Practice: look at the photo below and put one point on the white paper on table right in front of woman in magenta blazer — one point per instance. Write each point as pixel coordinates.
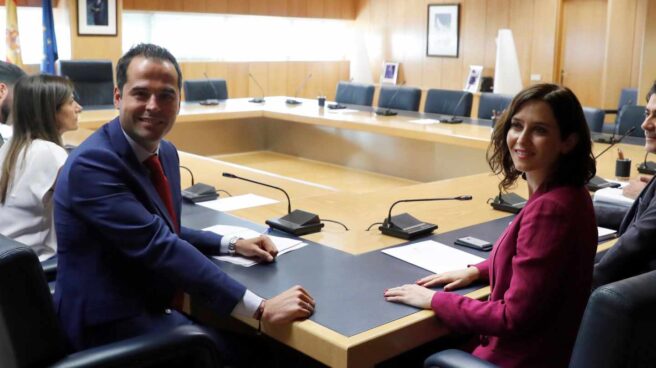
(433, 256)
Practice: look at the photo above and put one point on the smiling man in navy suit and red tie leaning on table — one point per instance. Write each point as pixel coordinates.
(123, 255)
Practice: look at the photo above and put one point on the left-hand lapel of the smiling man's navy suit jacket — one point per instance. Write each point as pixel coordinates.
(139, 172)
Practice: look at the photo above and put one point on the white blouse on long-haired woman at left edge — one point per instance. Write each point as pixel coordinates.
(26, 216)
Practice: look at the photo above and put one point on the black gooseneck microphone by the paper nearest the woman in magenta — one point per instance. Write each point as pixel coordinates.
(405, 226)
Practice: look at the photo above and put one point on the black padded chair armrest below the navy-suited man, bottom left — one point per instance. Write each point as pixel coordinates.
(189, 345)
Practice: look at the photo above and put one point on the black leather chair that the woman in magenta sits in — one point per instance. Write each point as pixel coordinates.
(617, 330)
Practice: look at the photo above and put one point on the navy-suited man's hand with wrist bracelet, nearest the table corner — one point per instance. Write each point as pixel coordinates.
(288, 306)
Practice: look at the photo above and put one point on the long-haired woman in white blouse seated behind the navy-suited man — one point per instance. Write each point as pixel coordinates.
(43, 109)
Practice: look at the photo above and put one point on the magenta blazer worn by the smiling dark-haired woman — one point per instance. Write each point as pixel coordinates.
(540, 274)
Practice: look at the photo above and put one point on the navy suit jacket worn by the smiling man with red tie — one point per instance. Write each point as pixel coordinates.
(119, 256)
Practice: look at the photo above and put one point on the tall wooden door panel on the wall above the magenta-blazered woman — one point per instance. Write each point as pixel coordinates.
(582, 48)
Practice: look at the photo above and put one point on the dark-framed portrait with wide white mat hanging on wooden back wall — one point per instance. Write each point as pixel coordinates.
(443, 30)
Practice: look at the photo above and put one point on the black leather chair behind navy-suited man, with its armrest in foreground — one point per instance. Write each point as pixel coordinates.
(31, 336)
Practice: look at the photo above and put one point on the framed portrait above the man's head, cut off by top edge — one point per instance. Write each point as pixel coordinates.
(96, 17)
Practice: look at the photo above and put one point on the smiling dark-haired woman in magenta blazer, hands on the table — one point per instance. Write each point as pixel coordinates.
(540, 269)
